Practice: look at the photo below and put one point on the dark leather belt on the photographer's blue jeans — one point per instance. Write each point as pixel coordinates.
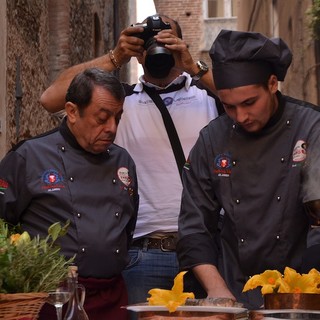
(166, 243)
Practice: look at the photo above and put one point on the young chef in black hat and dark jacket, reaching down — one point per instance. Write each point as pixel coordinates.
(259, 162)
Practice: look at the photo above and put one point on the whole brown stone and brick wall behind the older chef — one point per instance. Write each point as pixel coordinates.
(43, 37)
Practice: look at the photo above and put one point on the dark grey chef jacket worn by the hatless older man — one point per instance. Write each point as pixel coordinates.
(51, 178)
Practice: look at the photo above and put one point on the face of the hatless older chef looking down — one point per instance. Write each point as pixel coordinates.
(96, 128)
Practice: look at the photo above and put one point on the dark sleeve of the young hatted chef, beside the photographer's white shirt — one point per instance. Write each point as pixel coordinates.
(199, 215)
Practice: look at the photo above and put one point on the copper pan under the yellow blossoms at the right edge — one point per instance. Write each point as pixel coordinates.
(304, 301)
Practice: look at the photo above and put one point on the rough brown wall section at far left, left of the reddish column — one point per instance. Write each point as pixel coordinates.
(26, 42)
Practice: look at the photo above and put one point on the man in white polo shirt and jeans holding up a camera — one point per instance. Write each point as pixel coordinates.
(142, 132)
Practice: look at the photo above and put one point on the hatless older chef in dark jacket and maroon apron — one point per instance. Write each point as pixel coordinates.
(76, 173)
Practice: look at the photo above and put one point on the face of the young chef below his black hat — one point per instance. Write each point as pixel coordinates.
(251, 106)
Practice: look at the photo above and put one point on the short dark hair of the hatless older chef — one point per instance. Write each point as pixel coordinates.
(81, 87)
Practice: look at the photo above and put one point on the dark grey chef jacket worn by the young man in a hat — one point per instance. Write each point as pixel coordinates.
(261, 181)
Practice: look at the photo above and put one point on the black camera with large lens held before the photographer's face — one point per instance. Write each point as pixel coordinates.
(159, 59)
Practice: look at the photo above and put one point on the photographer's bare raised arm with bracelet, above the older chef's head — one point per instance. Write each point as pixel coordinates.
(128, 46)
